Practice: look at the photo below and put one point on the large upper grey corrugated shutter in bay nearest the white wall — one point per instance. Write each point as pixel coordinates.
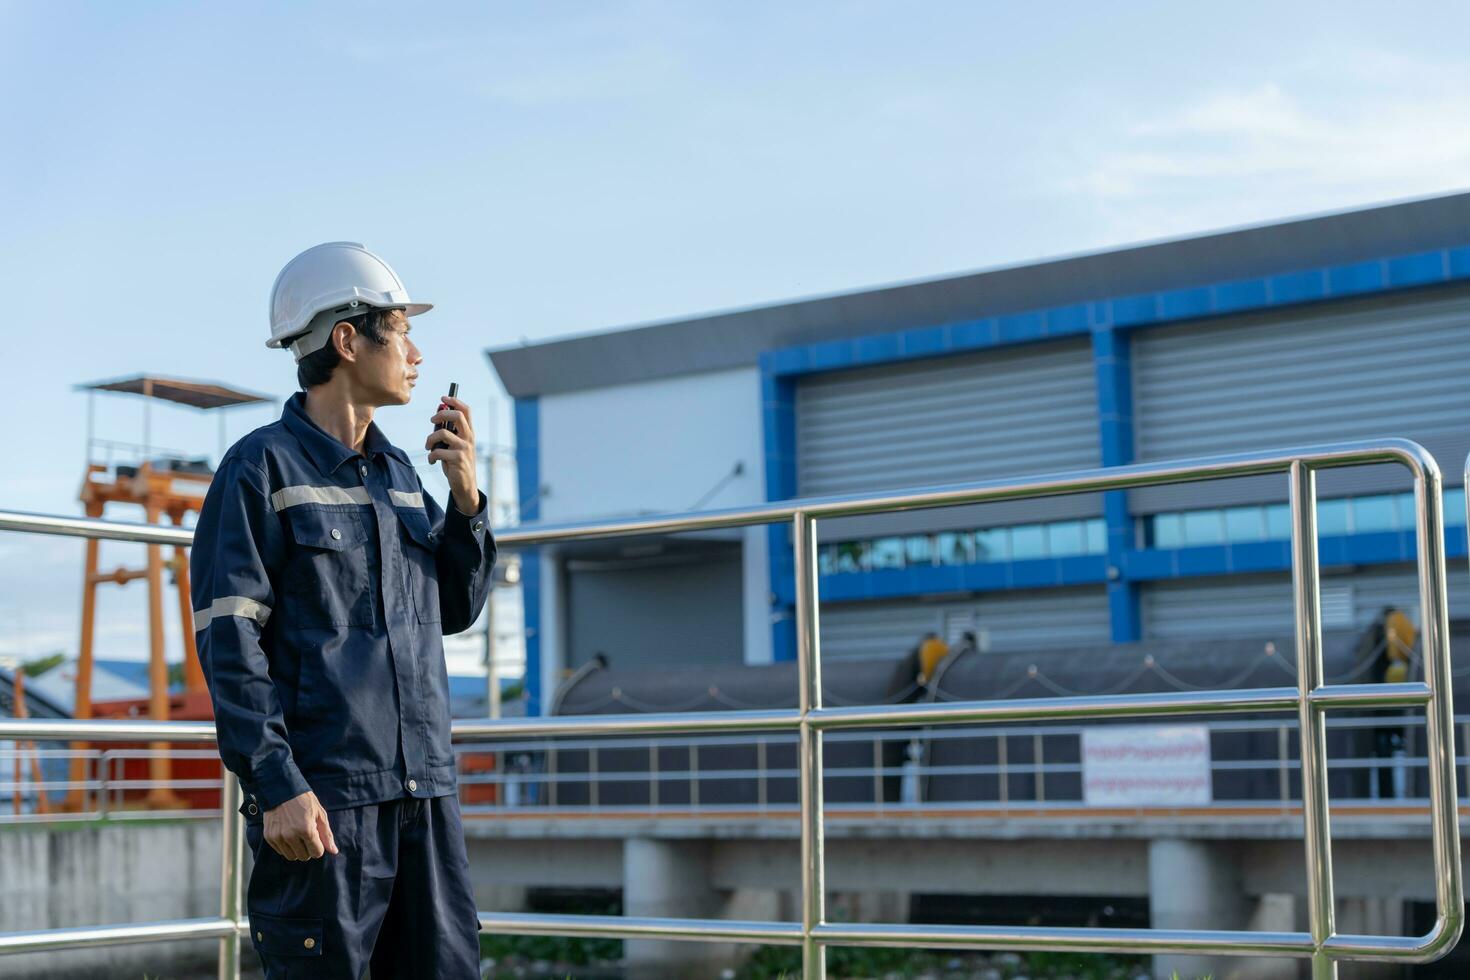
(1014, 412)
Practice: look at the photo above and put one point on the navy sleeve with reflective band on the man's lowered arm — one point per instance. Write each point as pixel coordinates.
(237, 543)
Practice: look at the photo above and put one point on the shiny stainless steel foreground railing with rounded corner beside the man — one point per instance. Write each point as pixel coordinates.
(1311, 699)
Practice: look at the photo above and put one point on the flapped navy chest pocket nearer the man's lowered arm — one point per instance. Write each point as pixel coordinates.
(327, 581)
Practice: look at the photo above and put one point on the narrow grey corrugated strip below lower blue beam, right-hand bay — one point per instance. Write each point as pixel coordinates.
(1261, 605)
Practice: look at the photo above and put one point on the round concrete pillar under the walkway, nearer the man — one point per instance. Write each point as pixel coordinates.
(671, 879)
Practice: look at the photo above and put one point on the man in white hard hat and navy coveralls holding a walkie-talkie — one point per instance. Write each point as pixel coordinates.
(324, 578)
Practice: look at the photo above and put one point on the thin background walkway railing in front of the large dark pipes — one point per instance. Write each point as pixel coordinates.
(1253, 768)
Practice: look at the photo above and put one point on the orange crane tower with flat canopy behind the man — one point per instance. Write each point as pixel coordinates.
(161, 483)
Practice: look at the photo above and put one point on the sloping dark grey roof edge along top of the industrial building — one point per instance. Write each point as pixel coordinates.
(736, 339)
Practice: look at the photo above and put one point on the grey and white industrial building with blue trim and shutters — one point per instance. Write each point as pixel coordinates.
(1341, 327)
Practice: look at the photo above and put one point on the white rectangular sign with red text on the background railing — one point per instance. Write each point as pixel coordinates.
(1146, 766)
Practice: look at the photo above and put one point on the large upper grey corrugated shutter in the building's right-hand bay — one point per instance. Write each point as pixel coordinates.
(1384, 368)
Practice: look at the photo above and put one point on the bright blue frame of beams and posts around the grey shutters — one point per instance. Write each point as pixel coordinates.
(1109, 321)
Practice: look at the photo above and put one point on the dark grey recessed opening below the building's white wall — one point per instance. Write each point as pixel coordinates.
(675, 612)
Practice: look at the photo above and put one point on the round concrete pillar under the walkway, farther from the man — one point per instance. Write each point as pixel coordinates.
(1196, 885)
